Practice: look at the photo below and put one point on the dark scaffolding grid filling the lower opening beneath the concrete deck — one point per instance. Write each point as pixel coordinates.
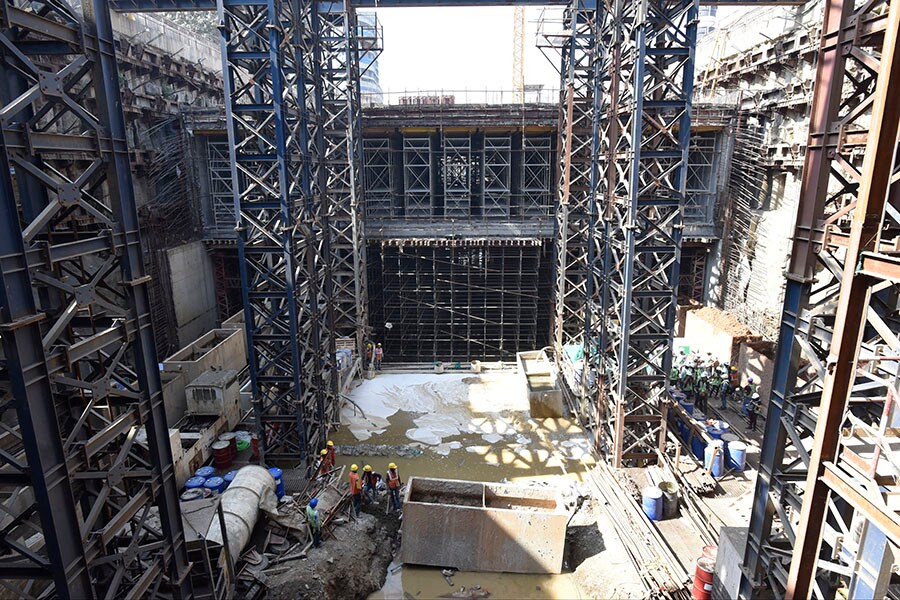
(459, 301)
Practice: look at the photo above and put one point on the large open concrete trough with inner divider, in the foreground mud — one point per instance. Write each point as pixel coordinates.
(475, 526)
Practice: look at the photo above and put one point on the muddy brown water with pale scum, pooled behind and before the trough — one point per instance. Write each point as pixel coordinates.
(479, 429)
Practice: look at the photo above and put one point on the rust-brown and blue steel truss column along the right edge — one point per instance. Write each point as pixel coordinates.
(836, 368)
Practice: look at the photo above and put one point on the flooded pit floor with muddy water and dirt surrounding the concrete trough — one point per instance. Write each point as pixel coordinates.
(466, 427)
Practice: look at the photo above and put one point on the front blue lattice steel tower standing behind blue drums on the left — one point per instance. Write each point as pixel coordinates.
(263, 106)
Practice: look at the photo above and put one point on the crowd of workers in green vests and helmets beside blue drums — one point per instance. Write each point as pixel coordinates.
(702, 378)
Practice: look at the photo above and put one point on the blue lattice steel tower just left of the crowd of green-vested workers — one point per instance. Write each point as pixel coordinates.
(644, 236)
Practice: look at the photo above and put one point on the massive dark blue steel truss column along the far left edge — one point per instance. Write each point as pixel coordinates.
(90, 506)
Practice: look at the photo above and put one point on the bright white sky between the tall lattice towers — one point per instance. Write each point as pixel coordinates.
(454, 49)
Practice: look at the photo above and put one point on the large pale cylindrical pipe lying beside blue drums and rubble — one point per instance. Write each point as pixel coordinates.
(240, 505)
